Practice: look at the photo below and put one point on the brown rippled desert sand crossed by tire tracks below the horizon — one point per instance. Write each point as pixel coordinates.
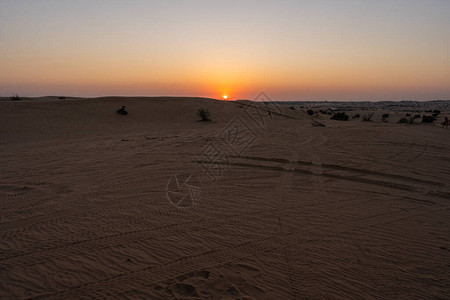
(156, 205)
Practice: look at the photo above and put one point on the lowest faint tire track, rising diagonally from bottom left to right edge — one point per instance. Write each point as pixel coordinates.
(110, 287)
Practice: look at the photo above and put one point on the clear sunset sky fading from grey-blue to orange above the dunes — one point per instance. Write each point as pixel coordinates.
(291, 49)
